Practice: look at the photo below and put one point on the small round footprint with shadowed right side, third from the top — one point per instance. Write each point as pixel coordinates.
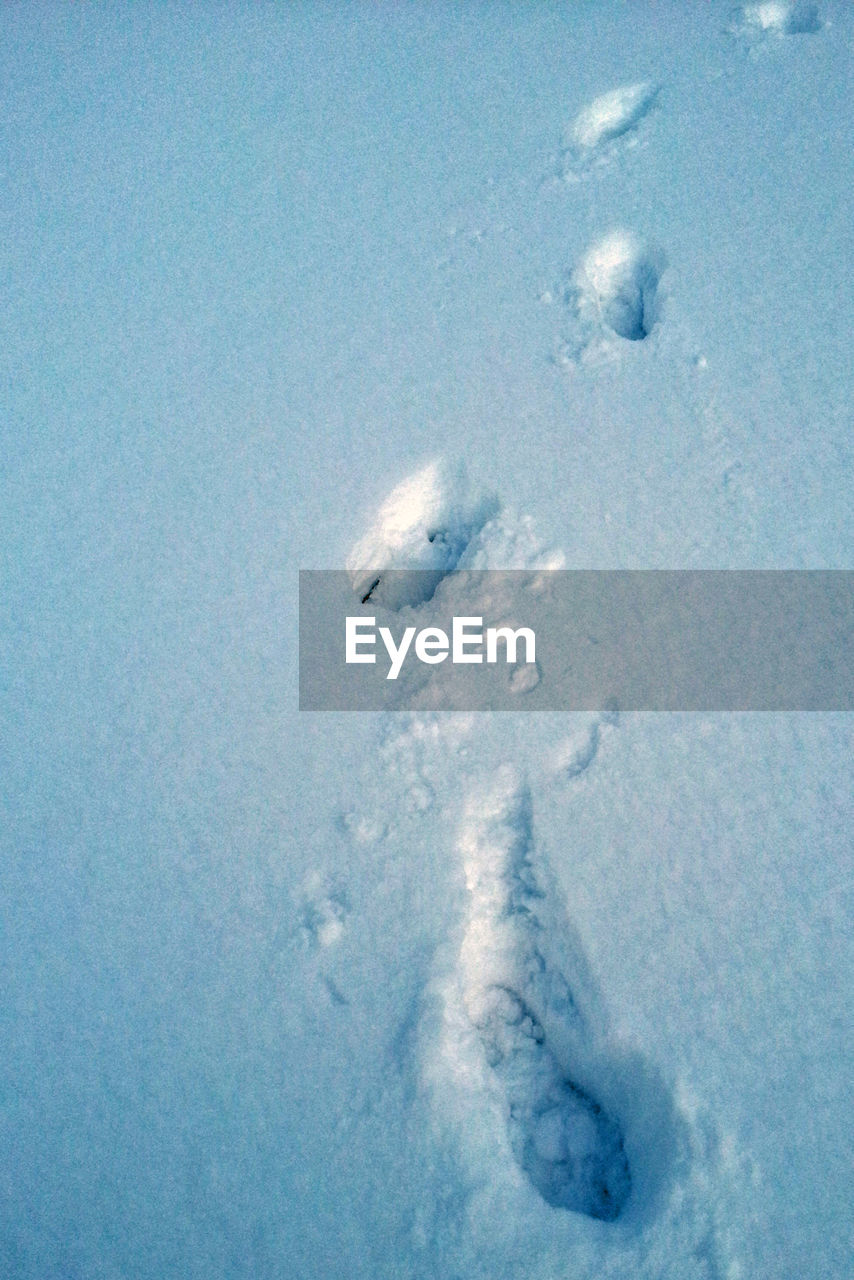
(616, 287)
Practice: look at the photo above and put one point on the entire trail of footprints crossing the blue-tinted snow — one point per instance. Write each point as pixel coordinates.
(515, 991)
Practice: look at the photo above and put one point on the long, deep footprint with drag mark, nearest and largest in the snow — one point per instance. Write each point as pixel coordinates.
(527, 1017)
